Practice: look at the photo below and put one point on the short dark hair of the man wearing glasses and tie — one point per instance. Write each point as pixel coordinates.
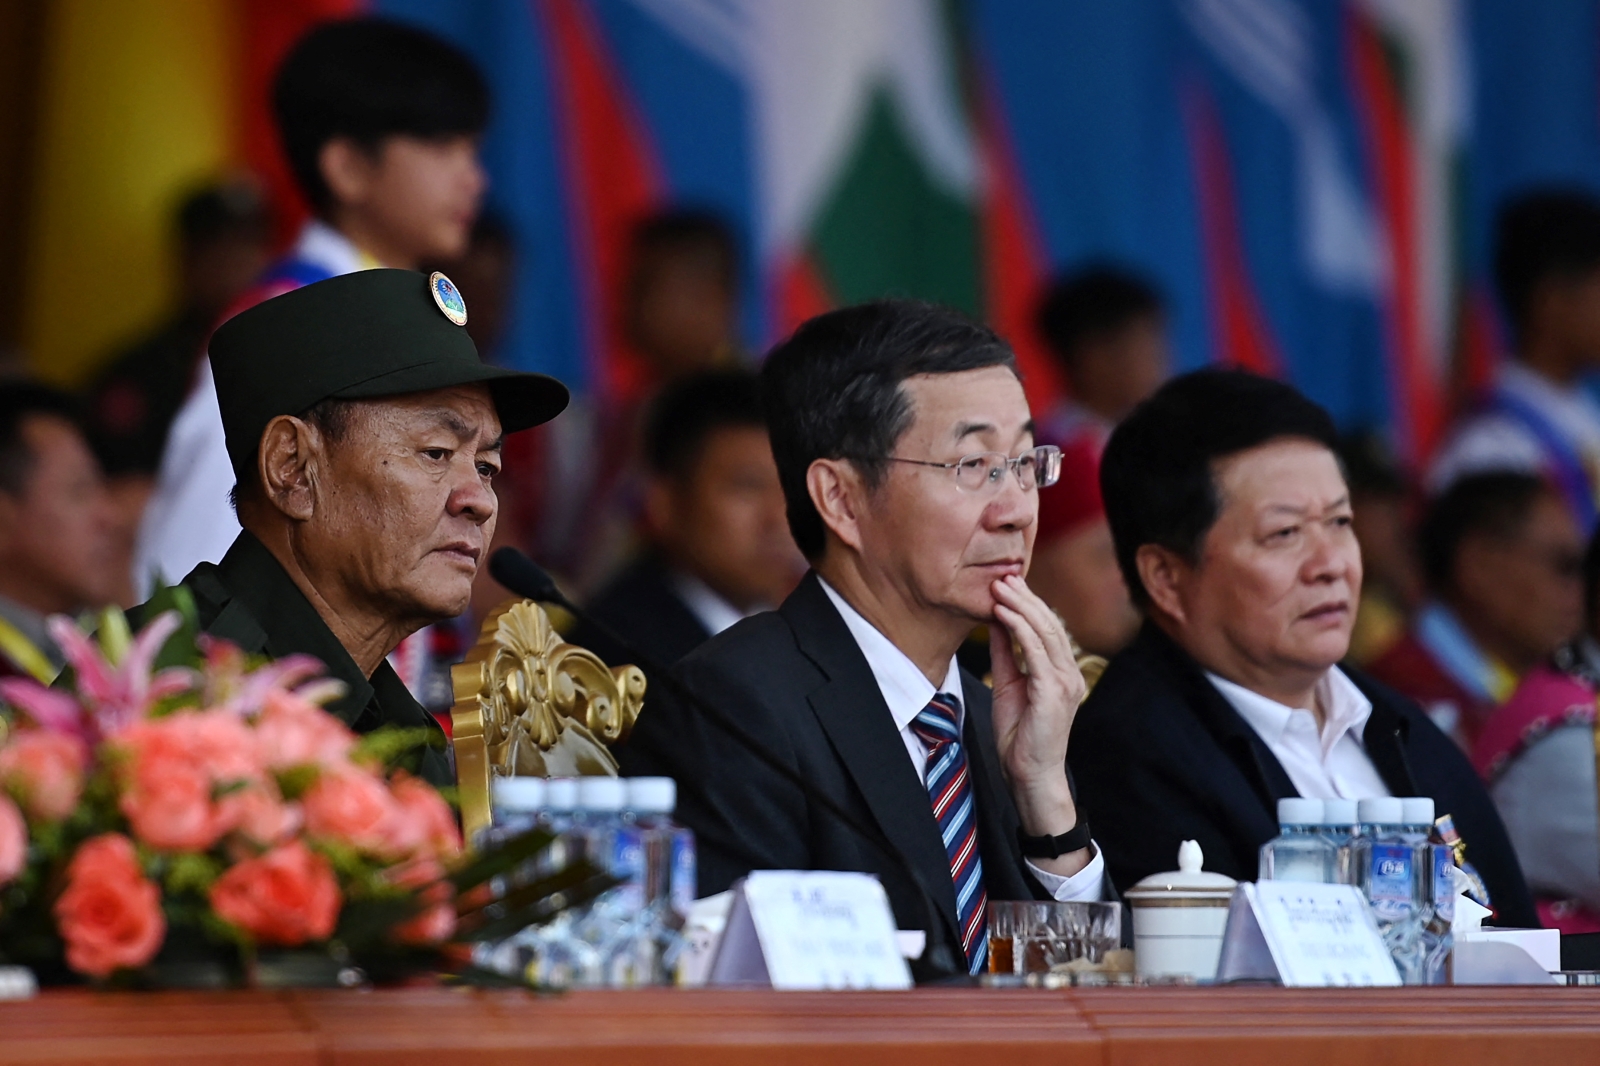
(833, 391)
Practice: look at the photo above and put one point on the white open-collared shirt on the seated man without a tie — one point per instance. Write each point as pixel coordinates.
(1329, 764)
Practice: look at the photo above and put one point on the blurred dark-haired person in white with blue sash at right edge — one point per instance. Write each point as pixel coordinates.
(1538, 417)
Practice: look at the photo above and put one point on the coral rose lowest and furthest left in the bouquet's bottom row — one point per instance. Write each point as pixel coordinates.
(111, 913)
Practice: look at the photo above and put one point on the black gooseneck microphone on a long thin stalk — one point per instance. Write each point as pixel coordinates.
(527, 579)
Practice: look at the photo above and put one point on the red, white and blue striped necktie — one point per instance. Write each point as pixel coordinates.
(951, 793)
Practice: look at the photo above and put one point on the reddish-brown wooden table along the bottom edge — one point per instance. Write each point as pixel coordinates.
(929, 1028)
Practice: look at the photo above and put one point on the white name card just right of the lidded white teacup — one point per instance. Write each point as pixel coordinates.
(1305, 936)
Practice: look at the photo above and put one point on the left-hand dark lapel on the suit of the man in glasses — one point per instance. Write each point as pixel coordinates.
(860, 727)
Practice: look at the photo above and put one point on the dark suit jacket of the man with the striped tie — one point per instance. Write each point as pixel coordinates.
(798, 679)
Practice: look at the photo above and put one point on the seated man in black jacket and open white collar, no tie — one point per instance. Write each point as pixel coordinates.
(1233, 529)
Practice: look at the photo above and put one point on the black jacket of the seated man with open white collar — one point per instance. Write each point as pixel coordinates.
(1161, 758)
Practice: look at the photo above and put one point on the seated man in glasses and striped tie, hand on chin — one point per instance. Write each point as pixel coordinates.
(906, 454)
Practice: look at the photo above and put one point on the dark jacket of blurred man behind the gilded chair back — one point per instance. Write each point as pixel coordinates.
(642, 607)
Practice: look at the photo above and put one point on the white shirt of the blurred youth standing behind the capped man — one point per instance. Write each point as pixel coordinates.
(190, 521)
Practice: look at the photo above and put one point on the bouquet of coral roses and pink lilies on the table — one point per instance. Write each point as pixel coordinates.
(175, 793)
